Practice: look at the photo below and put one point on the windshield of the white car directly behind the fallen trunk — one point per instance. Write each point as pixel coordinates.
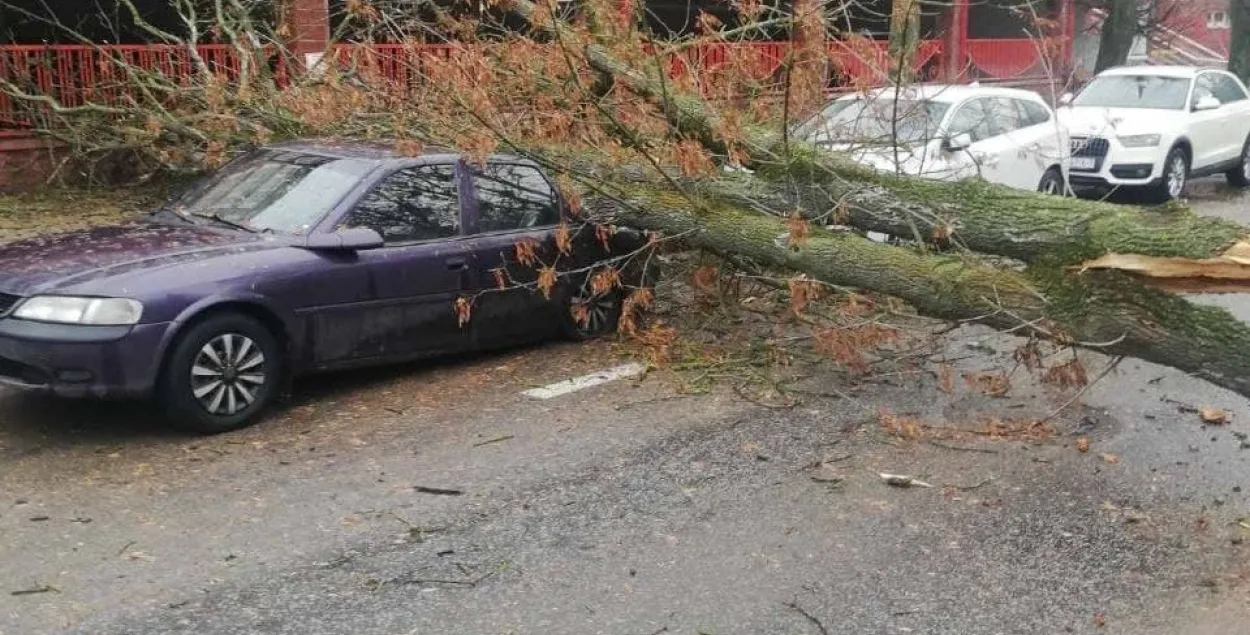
(877, 122)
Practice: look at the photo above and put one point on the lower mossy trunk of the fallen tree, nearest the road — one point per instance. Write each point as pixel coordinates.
(1103, 311)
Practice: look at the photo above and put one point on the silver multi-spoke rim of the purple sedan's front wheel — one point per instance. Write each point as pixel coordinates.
(227, 374)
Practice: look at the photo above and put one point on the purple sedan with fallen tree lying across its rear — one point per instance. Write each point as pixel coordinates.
(294, 259)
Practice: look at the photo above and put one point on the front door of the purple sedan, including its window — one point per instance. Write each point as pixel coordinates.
(416, 278)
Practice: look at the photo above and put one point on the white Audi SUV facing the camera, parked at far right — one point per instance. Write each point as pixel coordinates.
(1157, 128)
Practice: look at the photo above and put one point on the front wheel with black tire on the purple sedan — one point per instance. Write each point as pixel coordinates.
(222, 374)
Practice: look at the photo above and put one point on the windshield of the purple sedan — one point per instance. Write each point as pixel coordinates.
(274, 191)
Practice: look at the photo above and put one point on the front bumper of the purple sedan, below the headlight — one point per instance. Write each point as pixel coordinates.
(81, 362)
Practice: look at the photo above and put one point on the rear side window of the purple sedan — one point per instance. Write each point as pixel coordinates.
(513, 197)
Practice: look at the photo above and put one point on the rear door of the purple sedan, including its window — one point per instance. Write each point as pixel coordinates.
(513, 236)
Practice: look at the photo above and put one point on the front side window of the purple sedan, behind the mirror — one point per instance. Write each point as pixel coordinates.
(419, 203)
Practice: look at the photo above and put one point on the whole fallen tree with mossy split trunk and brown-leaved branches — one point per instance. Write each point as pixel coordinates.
(1068, 271)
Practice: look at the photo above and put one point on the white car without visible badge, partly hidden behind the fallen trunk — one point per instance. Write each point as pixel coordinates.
(1009, 137)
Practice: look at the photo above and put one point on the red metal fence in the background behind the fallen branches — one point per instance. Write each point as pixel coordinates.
(81, 74)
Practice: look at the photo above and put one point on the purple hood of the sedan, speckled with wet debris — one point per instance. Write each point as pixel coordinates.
(54, 263)
